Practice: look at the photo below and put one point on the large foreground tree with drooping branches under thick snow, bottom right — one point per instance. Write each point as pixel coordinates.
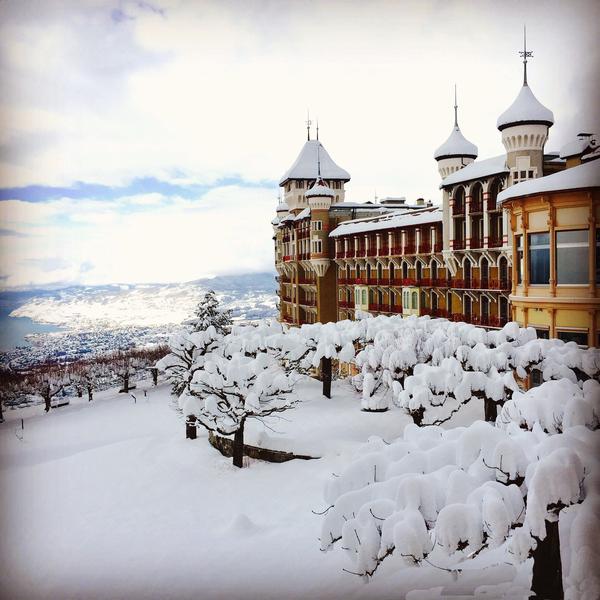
(444, 497)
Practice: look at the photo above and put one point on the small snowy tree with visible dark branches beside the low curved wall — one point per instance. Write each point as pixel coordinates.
(229, 390)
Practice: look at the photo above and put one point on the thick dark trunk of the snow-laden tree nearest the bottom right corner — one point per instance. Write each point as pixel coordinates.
(547, 568)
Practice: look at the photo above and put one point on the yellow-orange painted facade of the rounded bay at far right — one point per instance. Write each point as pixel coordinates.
(557, 306)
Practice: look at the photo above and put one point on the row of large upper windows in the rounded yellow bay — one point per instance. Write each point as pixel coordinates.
(571, 251)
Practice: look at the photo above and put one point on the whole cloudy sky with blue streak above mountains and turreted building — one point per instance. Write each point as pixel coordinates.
(143, 141)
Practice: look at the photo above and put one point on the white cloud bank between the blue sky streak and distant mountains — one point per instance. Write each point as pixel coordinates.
(146, 238)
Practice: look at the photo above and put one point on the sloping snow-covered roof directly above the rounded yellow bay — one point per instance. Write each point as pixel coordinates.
(583, 176)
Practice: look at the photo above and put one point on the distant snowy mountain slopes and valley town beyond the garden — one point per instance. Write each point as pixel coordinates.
(78, 321)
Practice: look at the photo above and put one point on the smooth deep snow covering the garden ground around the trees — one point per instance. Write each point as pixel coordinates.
(108, 500)
